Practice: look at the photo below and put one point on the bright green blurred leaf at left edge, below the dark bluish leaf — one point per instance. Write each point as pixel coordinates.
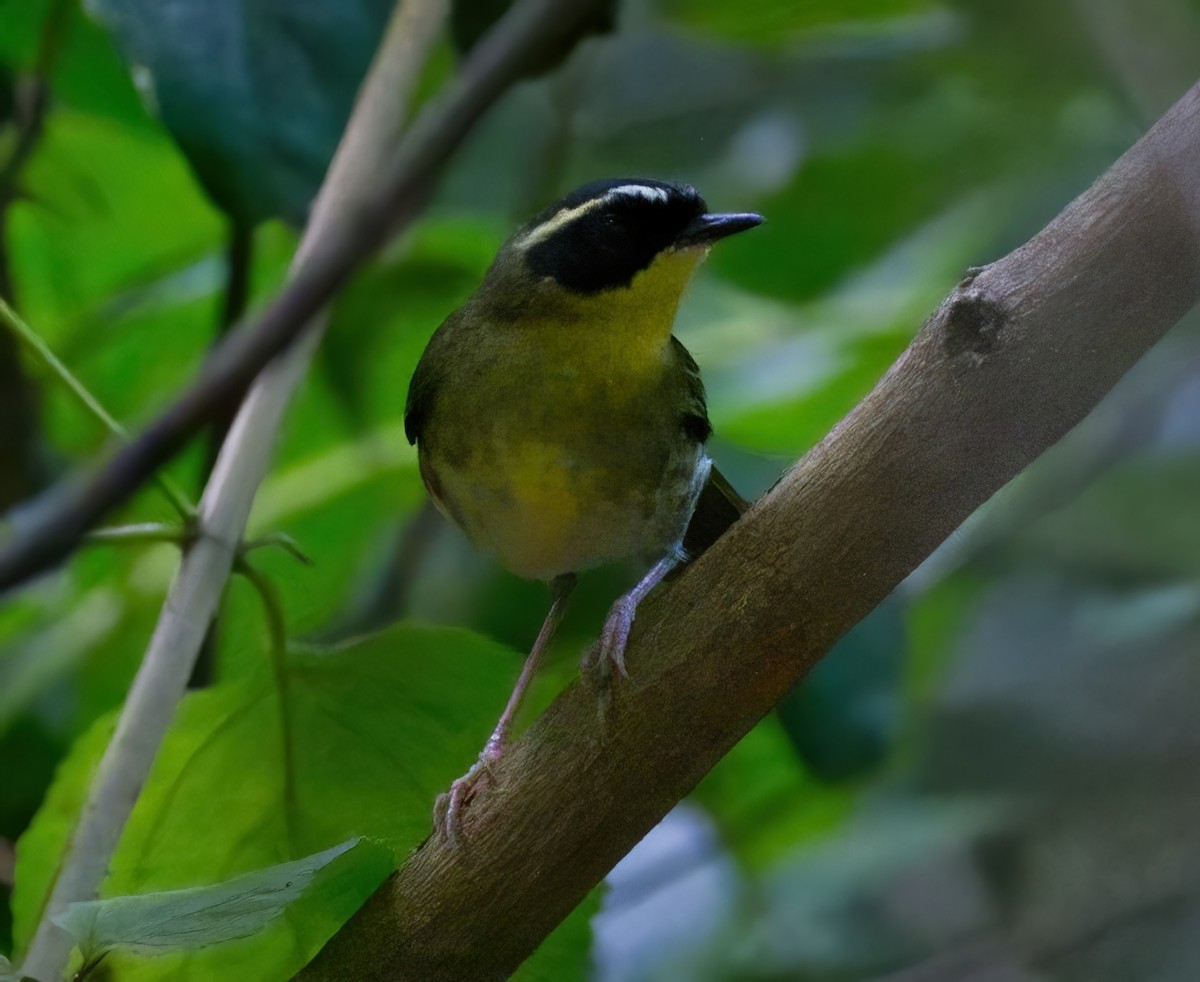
(103, 190)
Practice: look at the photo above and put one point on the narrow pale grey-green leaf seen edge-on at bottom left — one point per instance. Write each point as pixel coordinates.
(175, 920)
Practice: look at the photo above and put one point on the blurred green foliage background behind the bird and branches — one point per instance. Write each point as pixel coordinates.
(1045, 657)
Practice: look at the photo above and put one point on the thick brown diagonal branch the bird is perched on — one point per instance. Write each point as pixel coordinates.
(1012, 361)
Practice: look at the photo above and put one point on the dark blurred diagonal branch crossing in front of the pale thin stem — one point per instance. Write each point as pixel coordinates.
(526, 39)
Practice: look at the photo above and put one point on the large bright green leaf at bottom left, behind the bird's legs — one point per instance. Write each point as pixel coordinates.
(364, 741)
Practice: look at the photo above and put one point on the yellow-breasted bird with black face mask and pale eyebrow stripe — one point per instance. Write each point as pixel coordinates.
(560, 423)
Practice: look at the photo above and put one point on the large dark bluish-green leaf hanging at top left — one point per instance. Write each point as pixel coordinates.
(256, 92)
